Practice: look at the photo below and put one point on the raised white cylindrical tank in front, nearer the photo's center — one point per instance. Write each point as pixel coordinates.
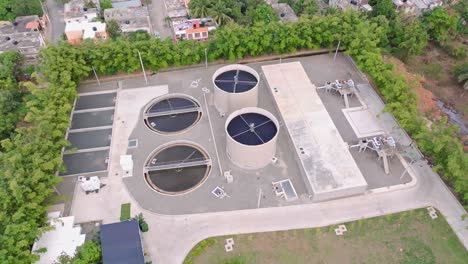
(251, 135)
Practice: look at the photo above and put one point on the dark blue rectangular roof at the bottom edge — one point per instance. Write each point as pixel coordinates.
(121, 243)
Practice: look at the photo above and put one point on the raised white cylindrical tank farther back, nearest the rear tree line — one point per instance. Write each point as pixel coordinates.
(235, 87)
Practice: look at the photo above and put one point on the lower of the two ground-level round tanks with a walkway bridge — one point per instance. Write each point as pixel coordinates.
(177, 168)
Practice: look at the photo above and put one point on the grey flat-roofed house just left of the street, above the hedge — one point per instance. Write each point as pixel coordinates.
(130, 19)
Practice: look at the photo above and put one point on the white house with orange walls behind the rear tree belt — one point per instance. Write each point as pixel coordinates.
(196, 29)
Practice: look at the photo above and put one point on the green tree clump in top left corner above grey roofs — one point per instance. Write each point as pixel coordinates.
(10, 9)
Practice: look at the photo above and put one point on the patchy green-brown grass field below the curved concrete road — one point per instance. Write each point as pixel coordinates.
(410, 238)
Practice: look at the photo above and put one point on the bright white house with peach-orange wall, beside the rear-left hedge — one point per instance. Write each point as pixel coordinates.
(78, 31)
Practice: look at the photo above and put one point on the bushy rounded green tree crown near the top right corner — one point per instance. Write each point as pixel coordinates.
(440, 24)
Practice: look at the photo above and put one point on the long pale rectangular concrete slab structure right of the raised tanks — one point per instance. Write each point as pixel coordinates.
(327, 165)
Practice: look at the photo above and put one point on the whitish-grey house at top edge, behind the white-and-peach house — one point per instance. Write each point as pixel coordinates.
(81, 11)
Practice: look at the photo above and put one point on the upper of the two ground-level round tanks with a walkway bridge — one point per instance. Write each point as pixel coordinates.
(173, 113)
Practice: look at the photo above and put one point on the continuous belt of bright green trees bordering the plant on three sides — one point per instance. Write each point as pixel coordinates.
(31, 155)
